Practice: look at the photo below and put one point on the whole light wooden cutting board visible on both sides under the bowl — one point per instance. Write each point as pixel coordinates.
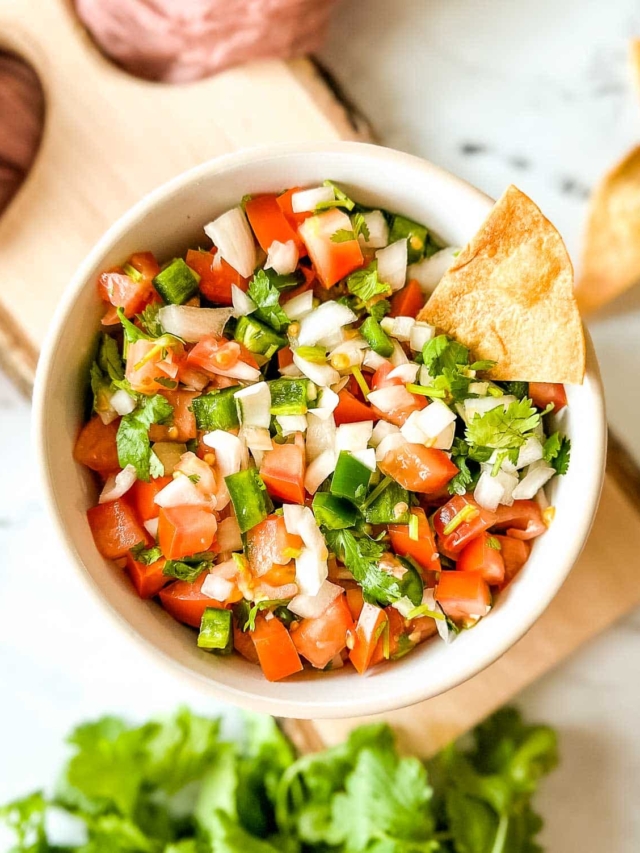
(108, 139)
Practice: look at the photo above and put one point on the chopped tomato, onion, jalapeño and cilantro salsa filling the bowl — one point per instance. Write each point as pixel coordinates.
(291, 461)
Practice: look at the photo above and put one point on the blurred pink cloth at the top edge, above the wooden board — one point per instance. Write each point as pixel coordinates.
(179, 41)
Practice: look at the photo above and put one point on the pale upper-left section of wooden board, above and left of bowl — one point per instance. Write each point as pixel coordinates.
(109, 138)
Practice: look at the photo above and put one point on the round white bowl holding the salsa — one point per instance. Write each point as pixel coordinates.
(166, 222)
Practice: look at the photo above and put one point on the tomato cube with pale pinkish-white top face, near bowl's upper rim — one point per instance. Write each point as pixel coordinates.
(332, 261)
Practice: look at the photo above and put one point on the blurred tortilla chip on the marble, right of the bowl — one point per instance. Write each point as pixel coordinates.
(611, 255)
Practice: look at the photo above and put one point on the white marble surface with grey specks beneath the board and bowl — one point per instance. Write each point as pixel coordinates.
(496, 91)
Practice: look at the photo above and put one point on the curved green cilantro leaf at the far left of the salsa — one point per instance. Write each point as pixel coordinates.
(132, 439)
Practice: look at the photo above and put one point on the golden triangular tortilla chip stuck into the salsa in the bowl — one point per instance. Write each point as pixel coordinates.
(509, 297)
